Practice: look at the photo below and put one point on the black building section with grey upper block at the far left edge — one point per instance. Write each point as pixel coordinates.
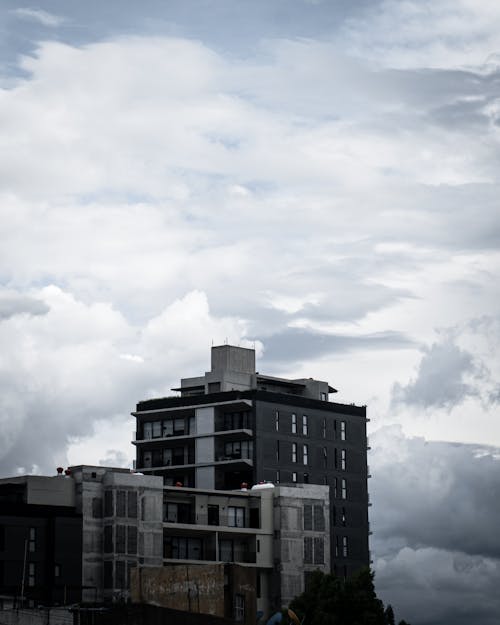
(40, 541)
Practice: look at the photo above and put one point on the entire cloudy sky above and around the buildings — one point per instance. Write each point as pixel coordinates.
(317, 178)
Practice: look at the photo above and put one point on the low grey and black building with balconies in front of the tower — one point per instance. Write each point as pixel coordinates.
(80, 537)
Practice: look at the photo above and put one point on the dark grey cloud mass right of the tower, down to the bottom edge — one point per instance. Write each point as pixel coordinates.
(435, 506)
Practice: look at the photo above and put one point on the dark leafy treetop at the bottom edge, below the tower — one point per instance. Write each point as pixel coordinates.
(328, 600)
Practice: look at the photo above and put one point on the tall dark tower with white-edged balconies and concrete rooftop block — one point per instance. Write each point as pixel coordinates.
(234, 425)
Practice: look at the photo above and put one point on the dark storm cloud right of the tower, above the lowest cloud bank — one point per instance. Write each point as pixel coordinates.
(435, 494)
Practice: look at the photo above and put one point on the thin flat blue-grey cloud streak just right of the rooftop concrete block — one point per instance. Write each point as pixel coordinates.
(293, 344)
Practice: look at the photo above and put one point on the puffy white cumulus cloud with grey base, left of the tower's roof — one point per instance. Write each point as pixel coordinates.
(62, 372)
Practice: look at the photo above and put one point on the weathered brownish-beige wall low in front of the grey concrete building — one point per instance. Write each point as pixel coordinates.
(198, 588)
